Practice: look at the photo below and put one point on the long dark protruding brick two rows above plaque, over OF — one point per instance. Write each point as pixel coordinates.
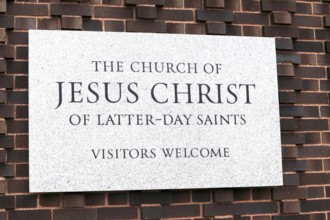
(214, 15)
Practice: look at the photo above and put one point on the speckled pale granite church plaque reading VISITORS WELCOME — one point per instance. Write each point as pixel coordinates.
(137, 111)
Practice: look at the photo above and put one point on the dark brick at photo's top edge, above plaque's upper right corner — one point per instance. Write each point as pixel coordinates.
(273, 5)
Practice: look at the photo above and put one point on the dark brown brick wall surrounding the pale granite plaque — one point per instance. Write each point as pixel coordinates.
(302, 31)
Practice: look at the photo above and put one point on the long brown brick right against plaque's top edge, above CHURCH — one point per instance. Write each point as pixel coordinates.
(146, 26)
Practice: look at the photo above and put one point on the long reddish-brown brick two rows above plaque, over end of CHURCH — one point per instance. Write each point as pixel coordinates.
(175, 15)
